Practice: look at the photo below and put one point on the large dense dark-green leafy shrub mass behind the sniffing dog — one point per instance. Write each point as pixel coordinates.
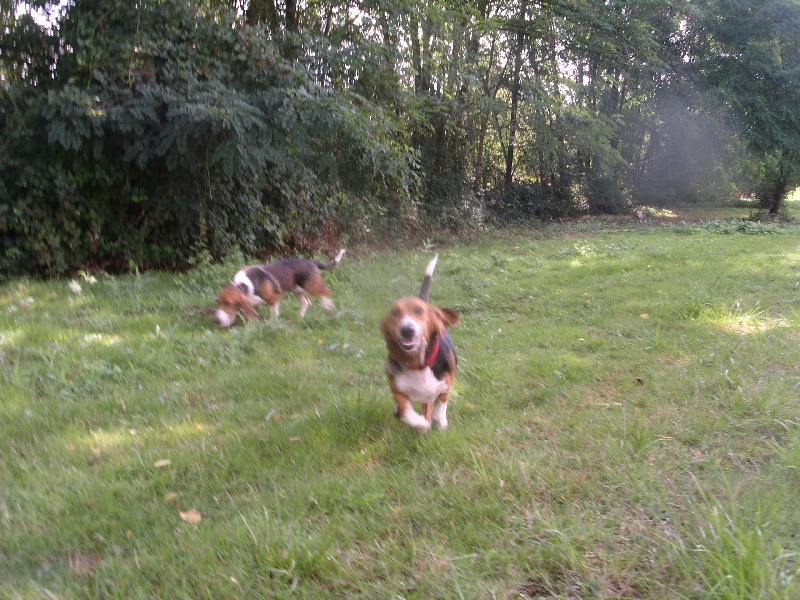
(168, 136)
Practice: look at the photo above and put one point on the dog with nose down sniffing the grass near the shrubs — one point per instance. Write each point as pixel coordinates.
(265, 284)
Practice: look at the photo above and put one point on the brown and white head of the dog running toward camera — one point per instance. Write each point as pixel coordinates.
(410, 324)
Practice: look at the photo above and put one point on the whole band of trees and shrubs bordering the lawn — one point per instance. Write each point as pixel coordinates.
(173, 133)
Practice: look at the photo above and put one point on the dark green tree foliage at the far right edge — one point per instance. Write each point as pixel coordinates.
(750, 56)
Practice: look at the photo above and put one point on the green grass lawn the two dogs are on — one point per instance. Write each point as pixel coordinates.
(624, 424)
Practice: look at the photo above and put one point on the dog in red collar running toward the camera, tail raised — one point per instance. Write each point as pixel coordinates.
(422, 358)
